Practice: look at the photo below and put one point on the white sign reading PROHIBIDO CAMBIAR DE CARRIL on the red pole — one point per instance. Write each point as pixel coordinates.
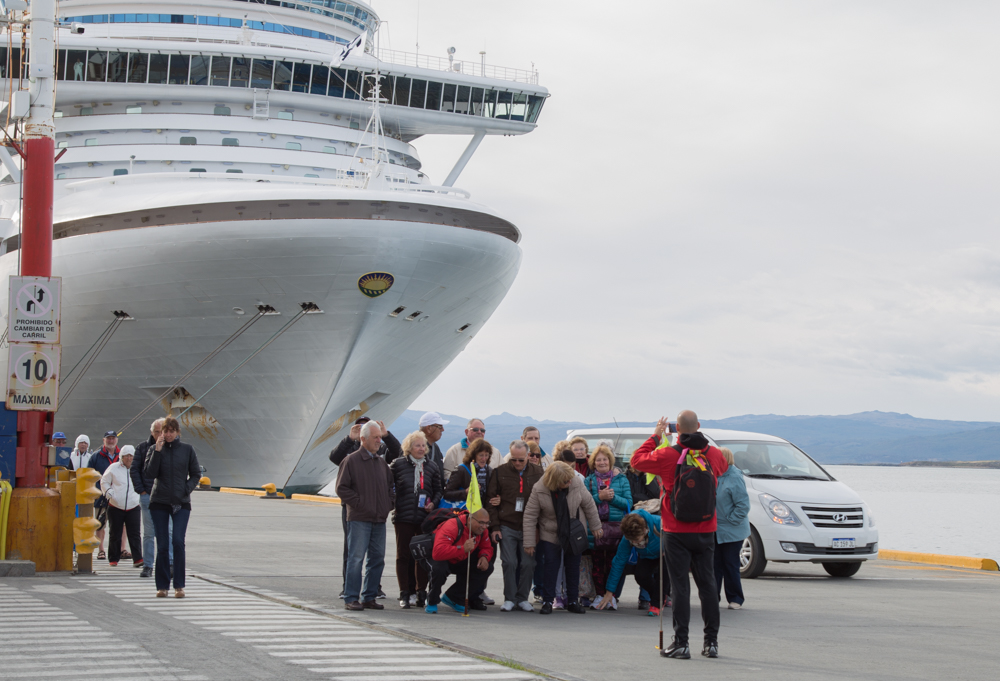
(34, 310)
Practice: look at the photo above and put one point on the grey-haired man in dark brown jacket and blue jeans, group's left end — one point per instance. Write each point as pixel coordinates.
(365, 487)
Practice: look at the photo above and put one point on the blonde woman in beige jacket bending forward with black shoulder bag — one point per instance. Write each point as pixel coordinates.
(549, 529)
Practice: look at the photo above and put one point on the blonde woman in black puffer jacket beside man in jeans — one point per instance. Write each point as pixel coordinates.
(418, 491)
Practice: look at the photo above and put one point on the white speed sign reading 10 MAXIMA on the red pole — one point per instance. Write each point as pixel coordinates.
(32, 381)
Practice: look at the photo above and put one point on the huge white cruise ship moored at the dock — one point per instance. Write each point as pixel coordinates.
(244, 233)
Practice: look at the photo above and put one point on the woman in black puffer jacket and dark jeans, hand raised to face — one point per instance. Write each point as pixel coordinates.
(173, 467)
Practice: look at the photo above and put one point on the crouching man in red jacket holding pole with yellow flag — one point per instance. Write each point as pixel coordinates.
(455, 541)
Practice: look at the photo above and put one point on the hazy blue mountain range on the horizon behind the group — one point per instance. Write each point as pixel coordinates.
(867, 437)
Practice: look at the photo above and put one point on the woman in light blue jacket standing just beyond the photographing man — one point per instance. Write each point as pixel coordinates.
(732, 505)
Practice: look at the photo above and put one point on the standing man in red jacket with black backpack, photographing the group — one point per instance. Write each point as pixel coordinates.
(688, 545)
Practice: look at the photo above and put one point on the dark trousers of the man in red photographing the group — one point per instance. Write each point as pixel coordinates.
(695, 552)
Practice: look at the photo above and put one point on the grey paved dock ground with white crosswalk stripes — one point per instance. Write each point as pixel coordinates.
(262, 586)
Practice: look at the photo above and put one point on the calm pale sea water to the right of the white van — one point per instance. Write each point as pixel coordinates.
(932, 510)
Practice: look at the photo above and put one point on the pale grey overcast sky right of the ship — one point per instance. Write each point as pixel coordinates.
(737, 207)
